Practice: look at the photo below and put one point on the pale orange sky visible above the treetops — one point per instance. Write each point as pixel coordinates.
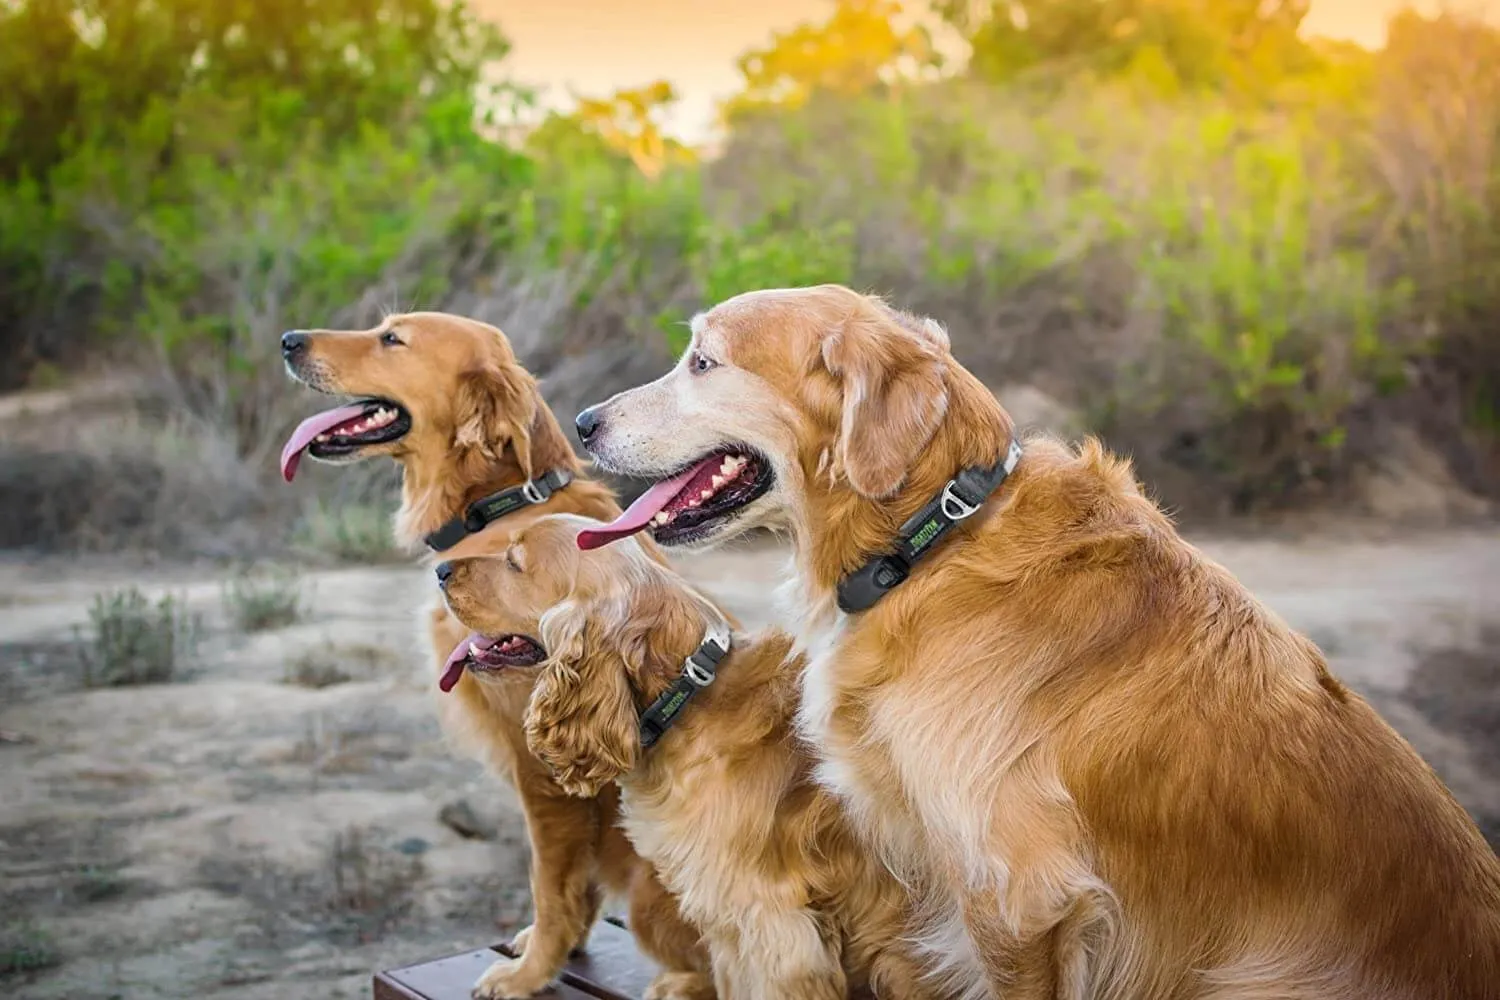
(596, 47)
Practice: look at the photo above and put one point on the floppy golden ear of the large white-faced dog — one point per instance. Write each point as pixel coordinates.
(892, 368)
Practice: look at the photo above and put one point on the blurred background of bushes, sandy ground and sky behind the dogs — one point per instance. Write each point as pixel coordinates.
(1252, 244)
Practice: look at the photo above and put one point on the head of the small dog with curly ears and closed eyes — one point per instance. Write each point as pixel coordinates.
(602, 632)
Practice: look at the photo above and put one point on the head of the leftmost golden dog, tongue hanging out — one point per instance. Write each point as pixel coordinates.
(422, 385)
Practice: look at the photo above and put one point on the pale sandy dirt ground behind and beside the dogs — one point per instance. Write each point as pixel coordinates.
(236, 836)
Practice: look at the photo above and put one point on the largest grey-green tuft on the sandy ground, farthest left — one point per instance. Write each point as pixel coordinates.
(133, 641)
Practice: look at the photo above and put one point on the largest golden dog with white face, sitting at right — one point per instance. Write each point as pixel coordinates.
(1127, 777)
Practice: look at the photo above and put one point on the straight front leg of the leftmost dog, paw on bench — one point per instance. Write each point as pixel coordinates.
(563, 891)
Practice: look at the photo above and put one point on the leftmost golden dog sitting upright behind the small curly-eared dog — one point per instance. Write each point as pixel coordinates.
(446, 398)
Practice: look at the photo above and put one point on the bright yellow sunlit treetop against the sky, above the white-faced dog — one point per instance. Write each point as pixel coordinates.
(859, 49)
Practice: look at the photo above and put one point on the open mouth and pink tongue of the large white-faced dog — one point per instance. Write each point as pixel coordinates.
(694, 504)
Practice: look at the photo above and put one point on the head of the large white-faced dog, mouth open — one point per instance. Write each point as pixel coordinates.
(782, 395)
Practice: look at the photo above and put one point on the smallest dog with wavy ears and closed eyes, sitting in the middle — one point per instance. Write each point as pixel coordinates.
(646, 683)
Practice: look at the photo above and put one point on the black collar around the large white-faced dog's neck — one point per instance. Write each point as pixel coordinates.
(961, 500)
